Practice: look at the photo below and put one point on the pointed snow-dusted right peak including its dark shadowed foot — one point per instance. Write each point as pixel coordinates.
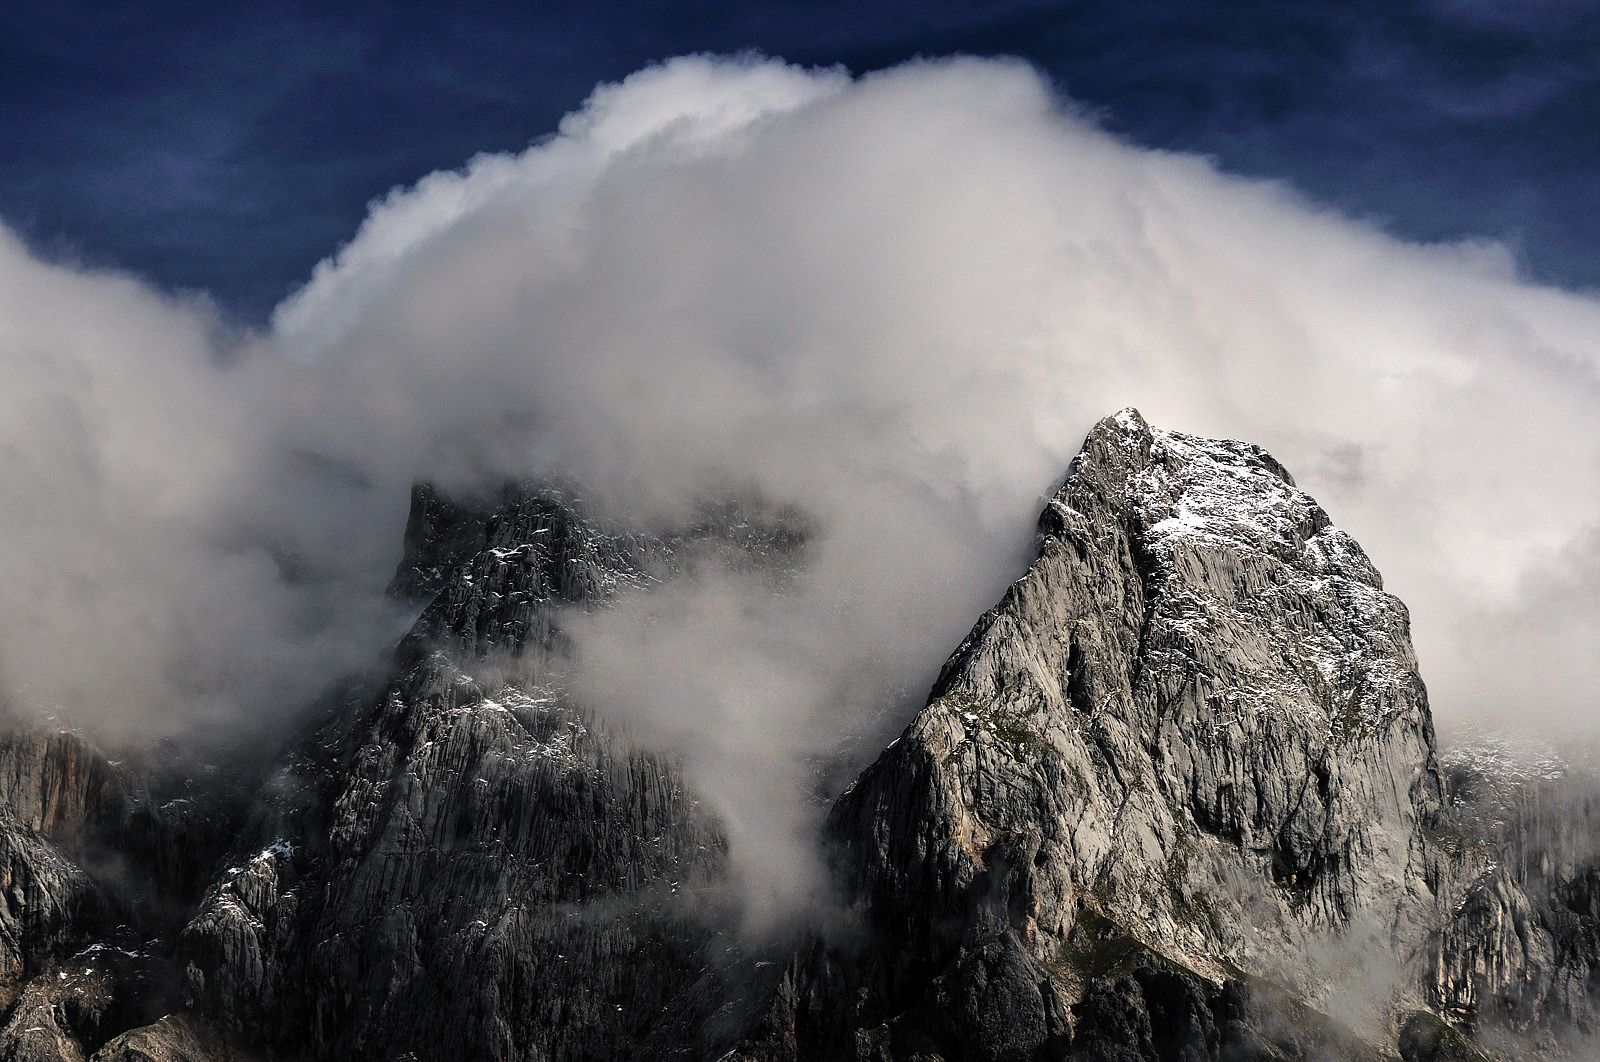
(1191, 741)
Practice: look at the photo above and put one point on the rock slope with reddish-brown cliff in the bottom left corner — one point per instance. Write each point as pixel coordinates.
(98, 861)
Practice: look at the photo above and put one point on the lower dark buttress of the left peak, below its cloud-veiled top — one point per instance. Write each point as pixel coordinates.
(492, 879)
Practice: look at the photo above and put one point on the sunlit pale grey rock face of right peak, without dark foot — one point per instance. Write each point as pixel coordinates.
(1199, 714)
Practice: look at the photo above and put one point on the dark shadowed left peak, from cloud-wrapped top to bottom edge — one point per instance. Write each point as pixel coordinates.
(460, 863)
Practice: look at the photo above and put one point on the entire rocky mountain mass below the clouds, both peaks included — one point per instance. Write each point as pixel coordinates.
(1175, 799)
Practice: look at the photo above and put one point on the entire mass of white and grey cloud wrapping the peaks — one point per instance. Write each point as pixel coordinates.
(897, 303)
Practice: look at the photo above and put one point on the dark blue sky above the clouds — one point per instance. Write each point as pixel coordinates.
(228, 148)
